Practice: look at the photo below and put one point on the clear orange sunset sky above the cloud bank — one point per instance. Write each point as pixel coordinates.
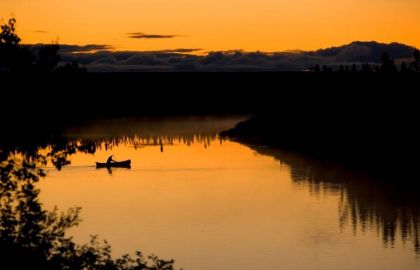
(265, 25)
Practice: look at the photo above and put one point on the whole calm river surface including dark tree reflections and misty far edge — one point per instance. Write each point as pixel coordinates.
(213, 204)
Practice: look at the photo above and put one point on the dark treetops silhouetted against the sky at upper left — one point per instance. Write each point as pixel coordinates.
(15, 57)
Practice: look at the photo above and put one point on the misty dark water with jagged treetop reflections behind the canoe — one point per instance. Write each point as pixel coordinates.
(144, 132)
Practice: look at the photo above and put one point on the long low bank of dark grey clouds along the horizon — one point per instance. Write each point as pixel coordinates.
(99, 58)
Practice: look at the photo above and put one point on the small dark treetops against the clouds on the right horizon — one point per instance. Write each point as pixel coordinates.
(387, 66)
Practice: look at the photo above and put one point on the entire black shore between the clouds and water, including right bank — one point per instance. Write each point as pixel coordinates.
(366, 120)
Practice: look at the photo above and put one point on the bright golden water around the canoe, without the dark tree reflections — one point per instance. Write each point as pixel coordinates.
(217, 207)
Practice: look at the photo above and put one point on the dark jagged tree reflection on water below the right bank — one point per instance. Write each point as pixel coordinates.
(390, 206)
